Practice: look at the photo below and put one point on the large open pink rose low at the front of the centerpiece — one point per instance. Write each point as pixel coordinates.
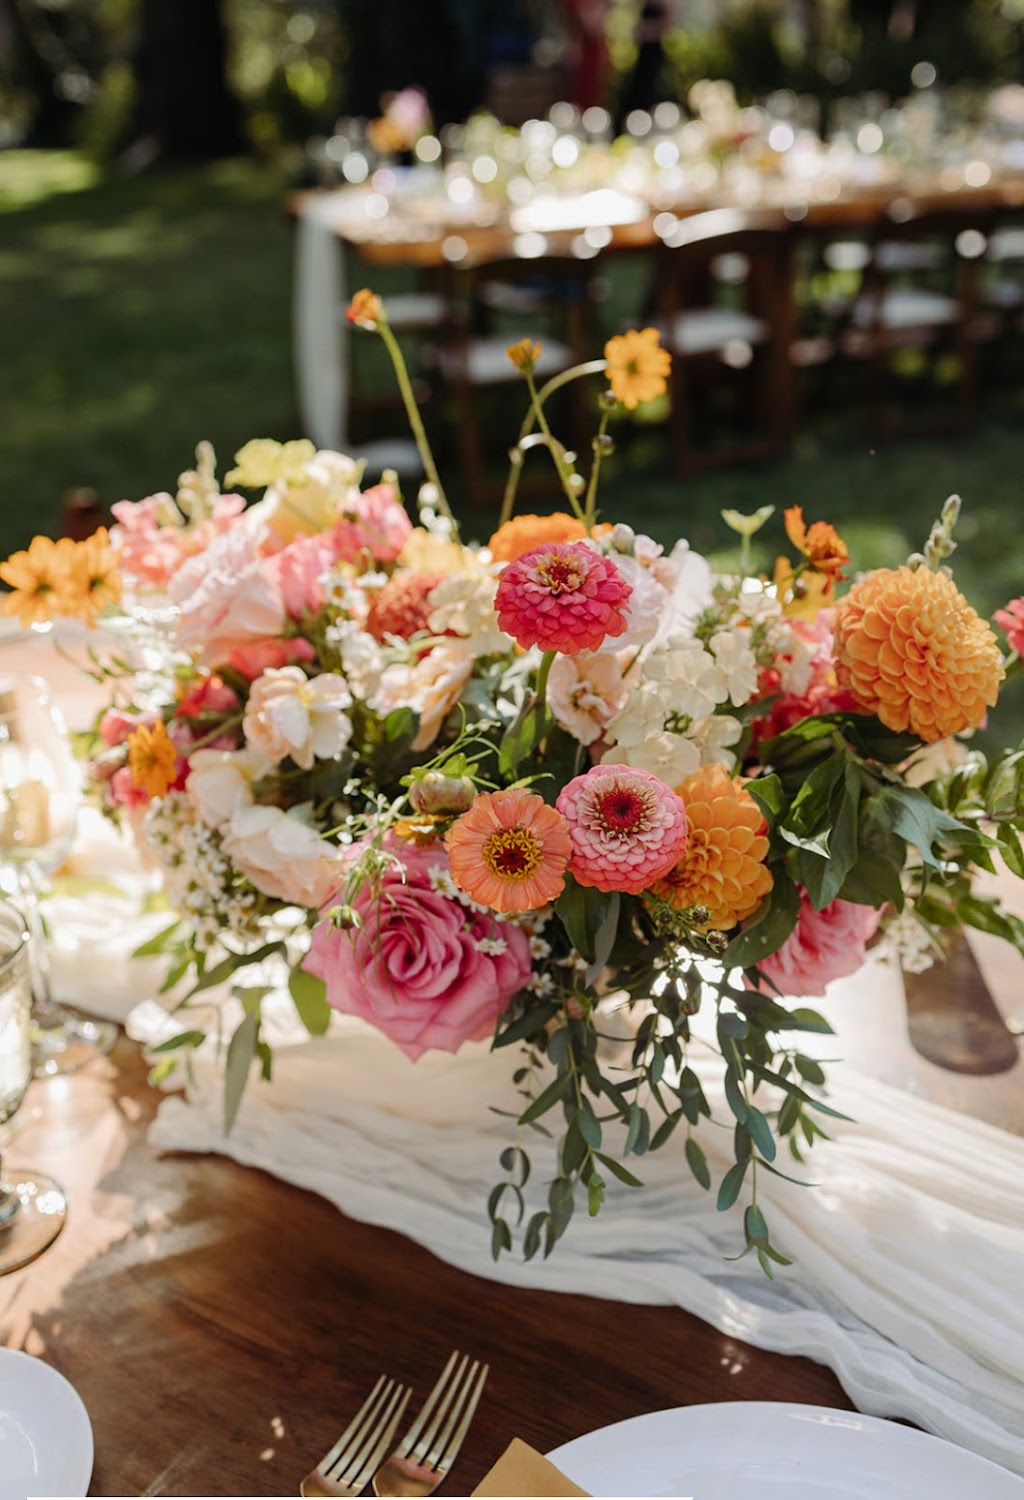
(425, 970)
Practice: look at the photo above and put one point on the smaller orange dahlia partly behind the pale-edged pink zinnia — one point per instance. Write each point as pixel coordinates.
(722, 868)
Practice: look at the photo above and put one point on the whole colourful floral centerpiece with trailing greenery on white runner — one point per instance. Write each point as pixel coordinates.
(494, 793)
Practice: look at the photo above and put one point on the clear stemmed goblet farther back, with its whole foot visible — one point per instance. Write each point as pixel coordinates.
(40, 797)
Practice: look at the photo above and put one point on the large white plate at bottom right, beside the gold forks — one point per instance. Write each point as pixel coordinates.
(770, 1451)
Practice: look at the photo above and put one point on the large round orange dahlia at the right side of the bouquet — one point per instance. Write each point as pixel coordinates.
(912, 650)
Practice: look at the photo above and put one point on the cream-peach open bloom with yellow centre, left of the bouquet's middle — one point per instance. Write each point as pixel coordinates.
(293, 715)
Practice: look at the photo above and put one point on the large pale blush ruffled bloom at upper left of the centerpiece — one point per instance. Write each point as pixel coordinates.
(227, 598)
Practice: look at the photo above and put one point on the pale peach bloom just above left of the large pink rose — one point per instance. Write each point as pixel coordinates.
(283, 857)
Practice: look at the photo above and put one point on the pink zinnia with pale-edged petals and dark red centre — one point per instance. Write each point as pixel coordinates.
(627, 829)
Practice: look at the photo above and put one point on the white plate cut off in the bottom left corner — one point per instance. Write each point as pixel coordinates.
(46, 1435)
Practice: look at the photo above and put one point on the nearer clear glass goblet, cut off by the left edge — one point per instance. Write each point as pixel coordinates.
(32, 1207)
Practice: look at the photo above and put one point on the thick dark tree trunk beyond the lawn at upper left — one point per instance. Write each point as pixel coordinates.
(185, 109)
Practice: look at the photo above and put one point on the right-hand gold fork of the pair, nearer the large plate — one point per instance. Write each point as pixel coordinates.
(431, 1447)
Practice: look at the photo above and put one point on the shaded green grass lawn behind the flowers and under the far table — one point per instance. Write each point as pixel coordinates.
(142, 316)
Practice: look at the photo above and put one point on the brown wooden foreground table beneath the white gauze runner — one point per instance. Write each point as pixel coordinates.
(221, 1325)
